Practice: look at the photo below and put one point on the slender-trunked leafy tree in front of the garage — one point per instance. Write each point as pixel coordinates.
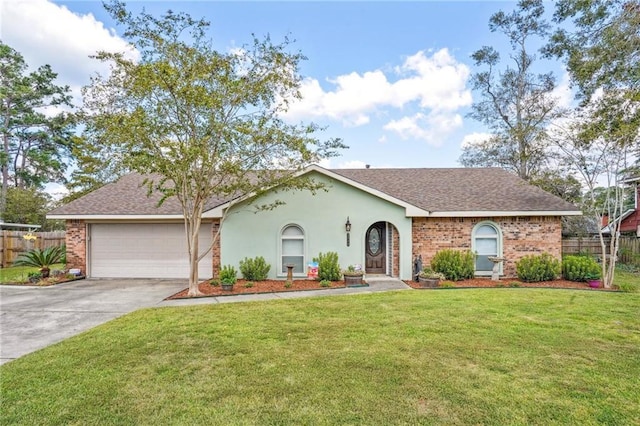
(200, 123)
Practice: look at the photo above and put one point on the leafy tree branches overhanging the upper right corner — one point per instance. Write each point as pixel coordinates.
(602, 54)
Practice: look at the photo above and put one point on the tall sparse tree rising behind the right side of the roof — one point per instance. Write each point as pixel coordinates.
(515, 104)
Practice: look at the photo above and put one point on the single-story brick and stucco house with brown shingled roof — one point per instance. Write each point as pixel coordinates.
(380, 219)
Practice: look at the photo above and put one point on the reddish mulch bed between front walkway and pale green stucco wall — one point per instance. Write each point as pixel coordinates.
(268, 286)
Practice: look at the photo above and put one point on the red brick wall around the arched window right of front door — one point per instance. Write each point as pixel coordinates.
(521, 236)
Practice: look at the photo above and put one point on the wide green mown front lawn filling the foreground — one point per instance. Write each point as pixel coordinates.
(480, 356)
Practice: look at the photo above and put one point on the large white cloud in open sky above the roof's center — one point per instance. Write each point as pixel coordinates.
(436, 82)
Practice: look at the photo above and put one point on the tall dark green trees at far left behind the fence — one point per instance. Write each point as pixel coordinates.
(36, 136)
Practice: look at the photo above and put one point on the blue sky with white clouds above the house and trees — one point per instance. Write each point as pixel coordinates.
(392, 79)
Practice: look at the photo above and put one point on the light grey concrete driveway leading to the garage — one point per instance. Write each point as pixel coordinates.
(32, 318)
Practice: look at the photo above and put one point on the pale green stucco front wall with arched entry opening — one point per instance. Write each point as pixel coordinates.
(322, 218)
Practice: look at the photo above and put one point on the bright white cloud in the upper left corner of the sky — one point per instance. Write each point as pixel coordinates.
(47, 33)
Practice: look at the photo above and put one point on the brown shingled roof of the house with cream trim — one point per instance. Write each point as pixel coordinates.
(424, 192)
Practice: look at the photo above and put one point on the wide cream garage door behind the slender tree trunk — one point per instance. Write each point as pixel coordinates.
(144, 251)
